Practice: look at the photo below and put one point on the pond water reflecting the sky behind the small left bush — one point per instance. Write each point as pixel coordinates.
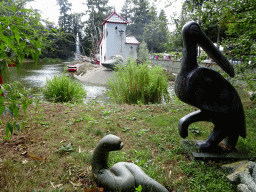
(36, 76)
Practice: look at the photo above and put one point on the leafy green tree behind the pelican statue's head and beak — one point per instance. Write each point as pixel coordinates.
(231, 24)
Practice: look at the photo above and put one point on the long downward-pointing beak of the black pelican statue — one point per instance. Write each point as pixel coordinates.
(215, 54)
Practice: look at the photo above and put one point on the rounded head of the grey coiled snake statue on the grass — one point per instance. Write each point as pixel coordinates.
(110, 143)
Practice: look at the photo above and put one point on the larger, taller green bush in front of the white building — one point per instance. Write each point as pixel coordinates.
(134, 84)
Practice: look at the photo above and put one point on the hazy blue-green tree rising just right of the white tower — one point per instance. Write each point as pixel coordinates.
(146, 24)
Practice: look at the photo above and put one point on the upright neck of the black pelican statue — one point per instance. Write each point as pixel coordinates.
(189, 62)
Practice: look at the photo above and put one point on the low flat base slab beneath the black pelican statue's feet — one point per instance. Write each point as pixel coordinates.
(217, 155)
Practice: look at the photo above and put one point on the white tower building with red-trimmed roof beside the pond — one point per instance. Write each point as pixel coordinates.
(114, 40)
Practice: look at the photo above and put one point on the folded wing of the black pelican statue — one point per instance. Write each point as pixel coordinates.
(212, 93)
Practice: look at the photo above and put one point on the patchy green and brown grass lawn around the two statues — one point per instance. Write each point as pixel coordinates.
(40, 158)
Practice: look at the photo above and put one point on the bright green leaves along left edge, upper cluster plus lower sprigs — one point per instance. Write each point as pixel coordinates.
(21, 34)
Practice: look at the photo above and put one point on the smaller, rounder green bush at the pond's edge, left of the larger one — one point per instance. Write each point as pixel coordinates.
(63, 89)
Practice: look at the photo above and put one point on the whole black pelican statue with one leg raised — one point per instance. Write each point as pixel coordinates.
(207, 90)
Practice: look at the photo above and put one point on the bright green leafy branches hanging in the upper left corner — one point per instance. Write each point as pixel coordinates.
(19, 33)
